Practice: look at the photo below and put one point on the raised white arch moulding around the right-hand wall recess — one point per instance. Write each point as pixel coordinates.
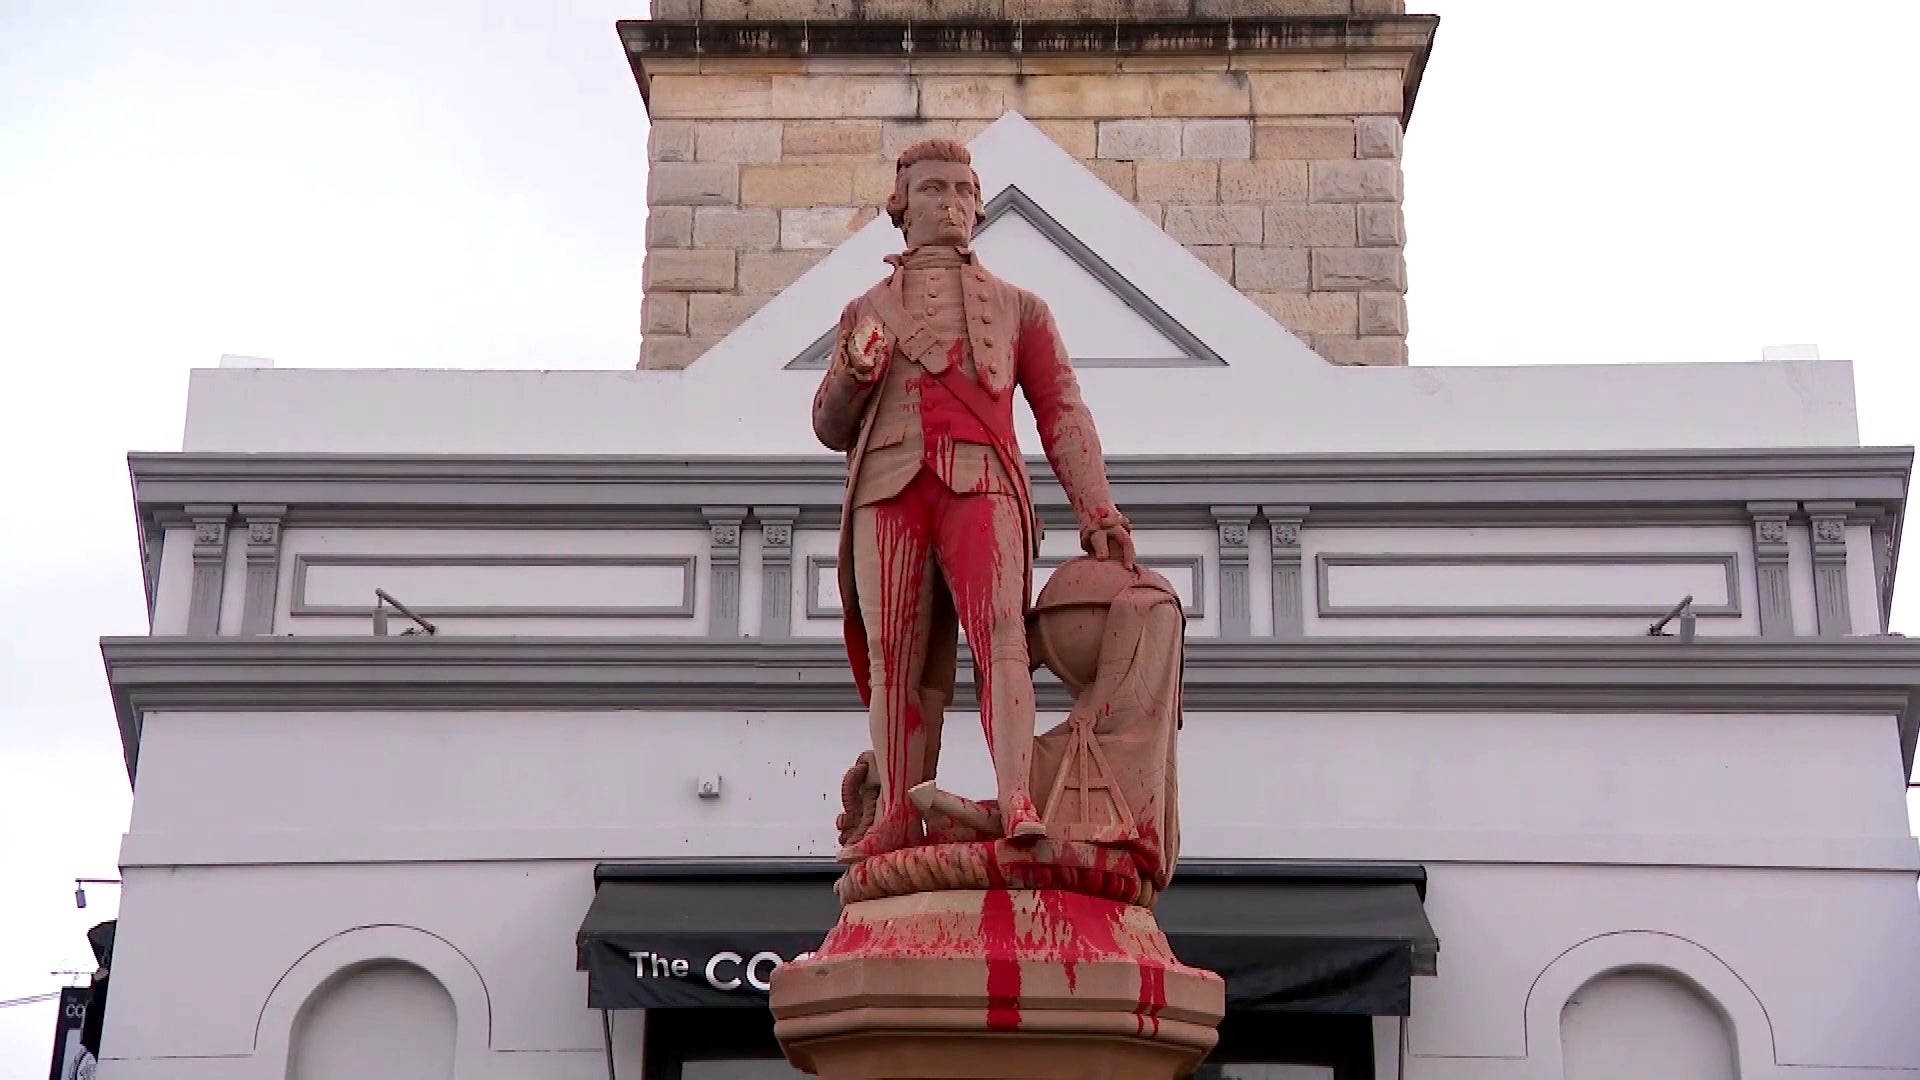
(1641, 952)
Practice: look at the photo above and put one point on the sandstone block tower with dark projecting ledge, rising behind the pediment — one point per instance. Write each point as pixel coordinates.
(1264, 135)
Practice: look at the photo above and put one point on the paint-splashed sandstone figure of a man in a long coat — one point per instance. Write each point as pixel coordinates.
(938, 528)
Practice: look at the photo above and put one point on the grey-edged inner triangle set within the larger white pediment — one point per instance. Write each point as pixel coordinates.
(1105, 320)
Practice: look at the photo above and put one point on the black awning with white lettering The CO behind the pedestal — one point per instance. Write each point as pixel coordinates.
(1289, 939)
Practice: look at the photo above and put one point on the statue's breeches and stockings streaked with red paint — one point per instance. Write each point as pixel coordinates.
(980, 549)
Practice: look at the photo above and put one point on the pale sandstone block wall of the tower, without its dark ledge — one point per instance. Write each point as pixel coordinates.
(1280, 170)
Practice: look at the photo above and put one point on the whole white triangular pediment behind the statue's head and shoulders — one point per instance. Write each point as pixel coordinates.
(1124, 293)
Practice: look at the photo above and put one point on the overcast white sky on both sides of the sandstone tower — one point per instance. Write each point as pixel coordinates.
(429, 184)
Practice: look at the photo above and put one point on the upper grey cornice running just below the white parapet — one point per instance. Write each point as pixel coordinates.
(1431, 489)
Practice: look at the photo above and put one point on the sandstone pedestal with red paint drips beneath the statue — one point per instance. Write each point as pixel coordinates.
(996, 985)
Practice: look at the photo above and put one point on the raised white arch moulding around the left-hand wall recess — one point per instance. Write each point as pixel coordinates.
(354, 950)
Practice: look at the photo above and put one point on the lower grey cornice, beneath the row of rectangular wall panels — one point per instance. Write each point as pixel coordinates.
(1660, 675)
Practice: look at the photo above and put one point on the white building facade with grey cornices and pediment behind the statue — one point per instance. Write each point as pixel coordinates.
(1420, 664)
